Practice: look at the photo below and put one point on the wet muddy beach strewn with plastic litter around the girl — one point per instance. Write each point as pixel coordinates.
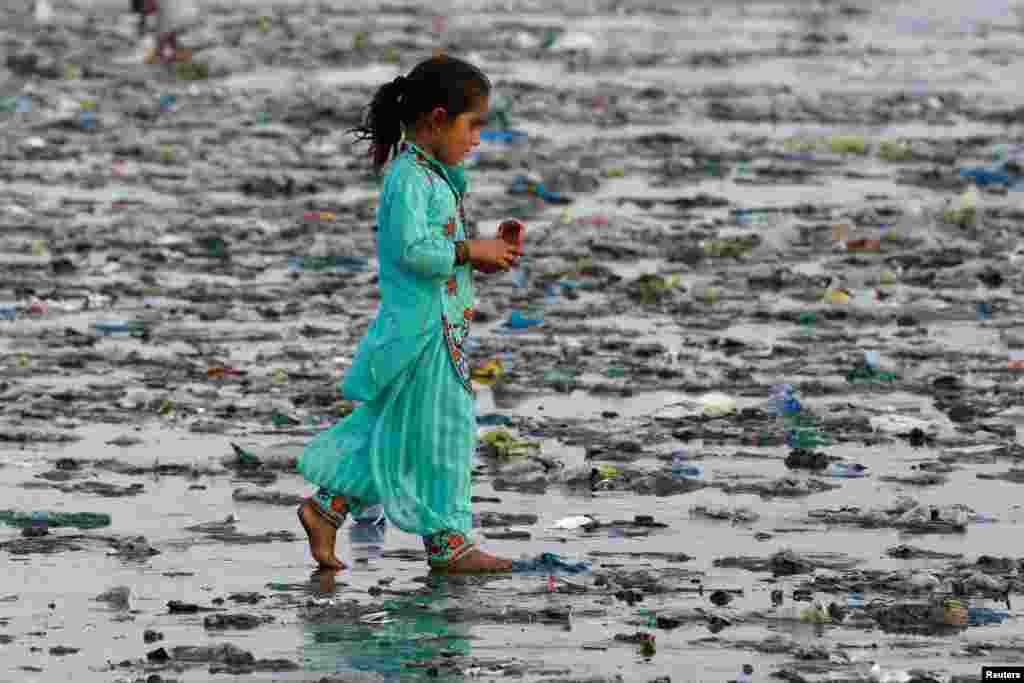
(761, 370)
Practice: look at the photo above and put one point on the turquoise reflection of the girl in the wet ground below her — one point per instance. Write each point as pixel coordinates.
(412, 632)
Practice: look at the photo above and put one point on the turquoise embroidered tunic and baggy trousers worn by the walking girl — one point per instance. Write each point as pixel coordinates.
(409, 446)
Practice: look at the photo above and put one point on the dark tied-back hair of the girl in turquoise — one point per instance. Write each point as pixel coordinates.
(443, 81)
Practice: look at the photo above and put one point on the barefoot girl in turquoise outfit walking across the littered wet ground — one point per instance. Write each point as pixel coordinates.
(409, 445)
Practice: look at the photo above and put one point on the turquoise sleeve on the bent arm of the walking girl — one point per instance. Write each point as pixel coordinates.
(421, 249)
